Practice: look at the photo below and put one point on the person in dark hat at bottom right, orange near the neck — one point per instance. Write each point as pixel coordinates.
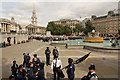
(91, 74)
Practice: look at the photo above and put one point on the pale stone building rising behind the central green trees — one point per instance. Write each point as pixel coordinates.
(67, 22)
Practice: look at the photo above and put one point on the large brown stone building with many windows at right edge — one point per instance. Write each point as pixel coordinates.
(108, 24)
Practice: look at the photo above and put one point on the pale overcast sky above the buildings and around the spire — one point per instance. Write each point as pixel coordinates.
(51, 11)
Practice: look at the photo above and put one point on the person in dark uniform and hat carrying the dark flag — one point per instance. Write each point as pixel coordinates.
(70, 69)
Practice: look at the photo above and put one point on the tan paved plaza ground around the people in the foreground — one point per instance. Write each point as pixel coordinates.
(106, 63)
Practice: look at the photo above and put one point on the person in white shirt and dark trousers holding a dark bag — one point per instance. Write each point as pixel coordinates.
(56, 66)
